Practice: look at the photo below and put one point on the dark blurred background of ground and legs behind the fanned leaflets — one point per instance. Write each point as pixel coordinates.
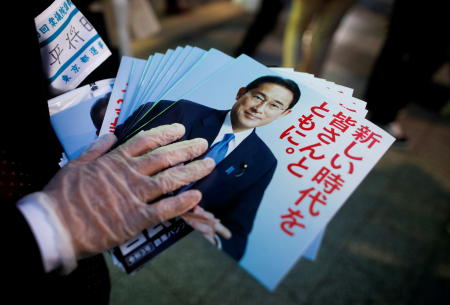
(390, 243)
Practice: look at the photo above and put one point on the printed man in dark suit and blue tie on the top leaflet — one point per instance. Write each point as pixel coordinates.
(231, 194)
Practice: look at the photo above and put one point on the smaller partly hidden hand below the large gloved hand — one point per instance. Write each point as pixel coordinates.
(206, 223)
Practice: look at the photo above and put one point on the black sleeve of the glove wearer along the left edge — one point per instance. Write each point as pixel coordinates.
(29, 149)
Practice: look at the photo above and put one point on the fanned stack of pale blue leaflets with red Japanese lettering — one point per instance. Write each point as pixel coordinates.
(319, 151)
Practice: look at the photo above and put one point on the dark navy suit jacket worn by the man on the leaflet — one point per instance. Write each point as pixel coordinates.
(233, 191)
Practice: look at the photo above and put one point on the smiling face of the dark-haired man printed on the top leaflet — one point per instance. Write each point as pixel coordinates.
(260, 106)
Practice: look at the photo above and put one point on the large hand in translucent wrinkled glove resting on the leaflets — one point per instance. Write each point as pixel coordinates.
(101, 199)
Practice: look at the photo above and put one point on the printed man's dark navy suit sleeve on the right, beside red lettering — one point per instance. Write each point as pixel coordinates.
(240, 219)
